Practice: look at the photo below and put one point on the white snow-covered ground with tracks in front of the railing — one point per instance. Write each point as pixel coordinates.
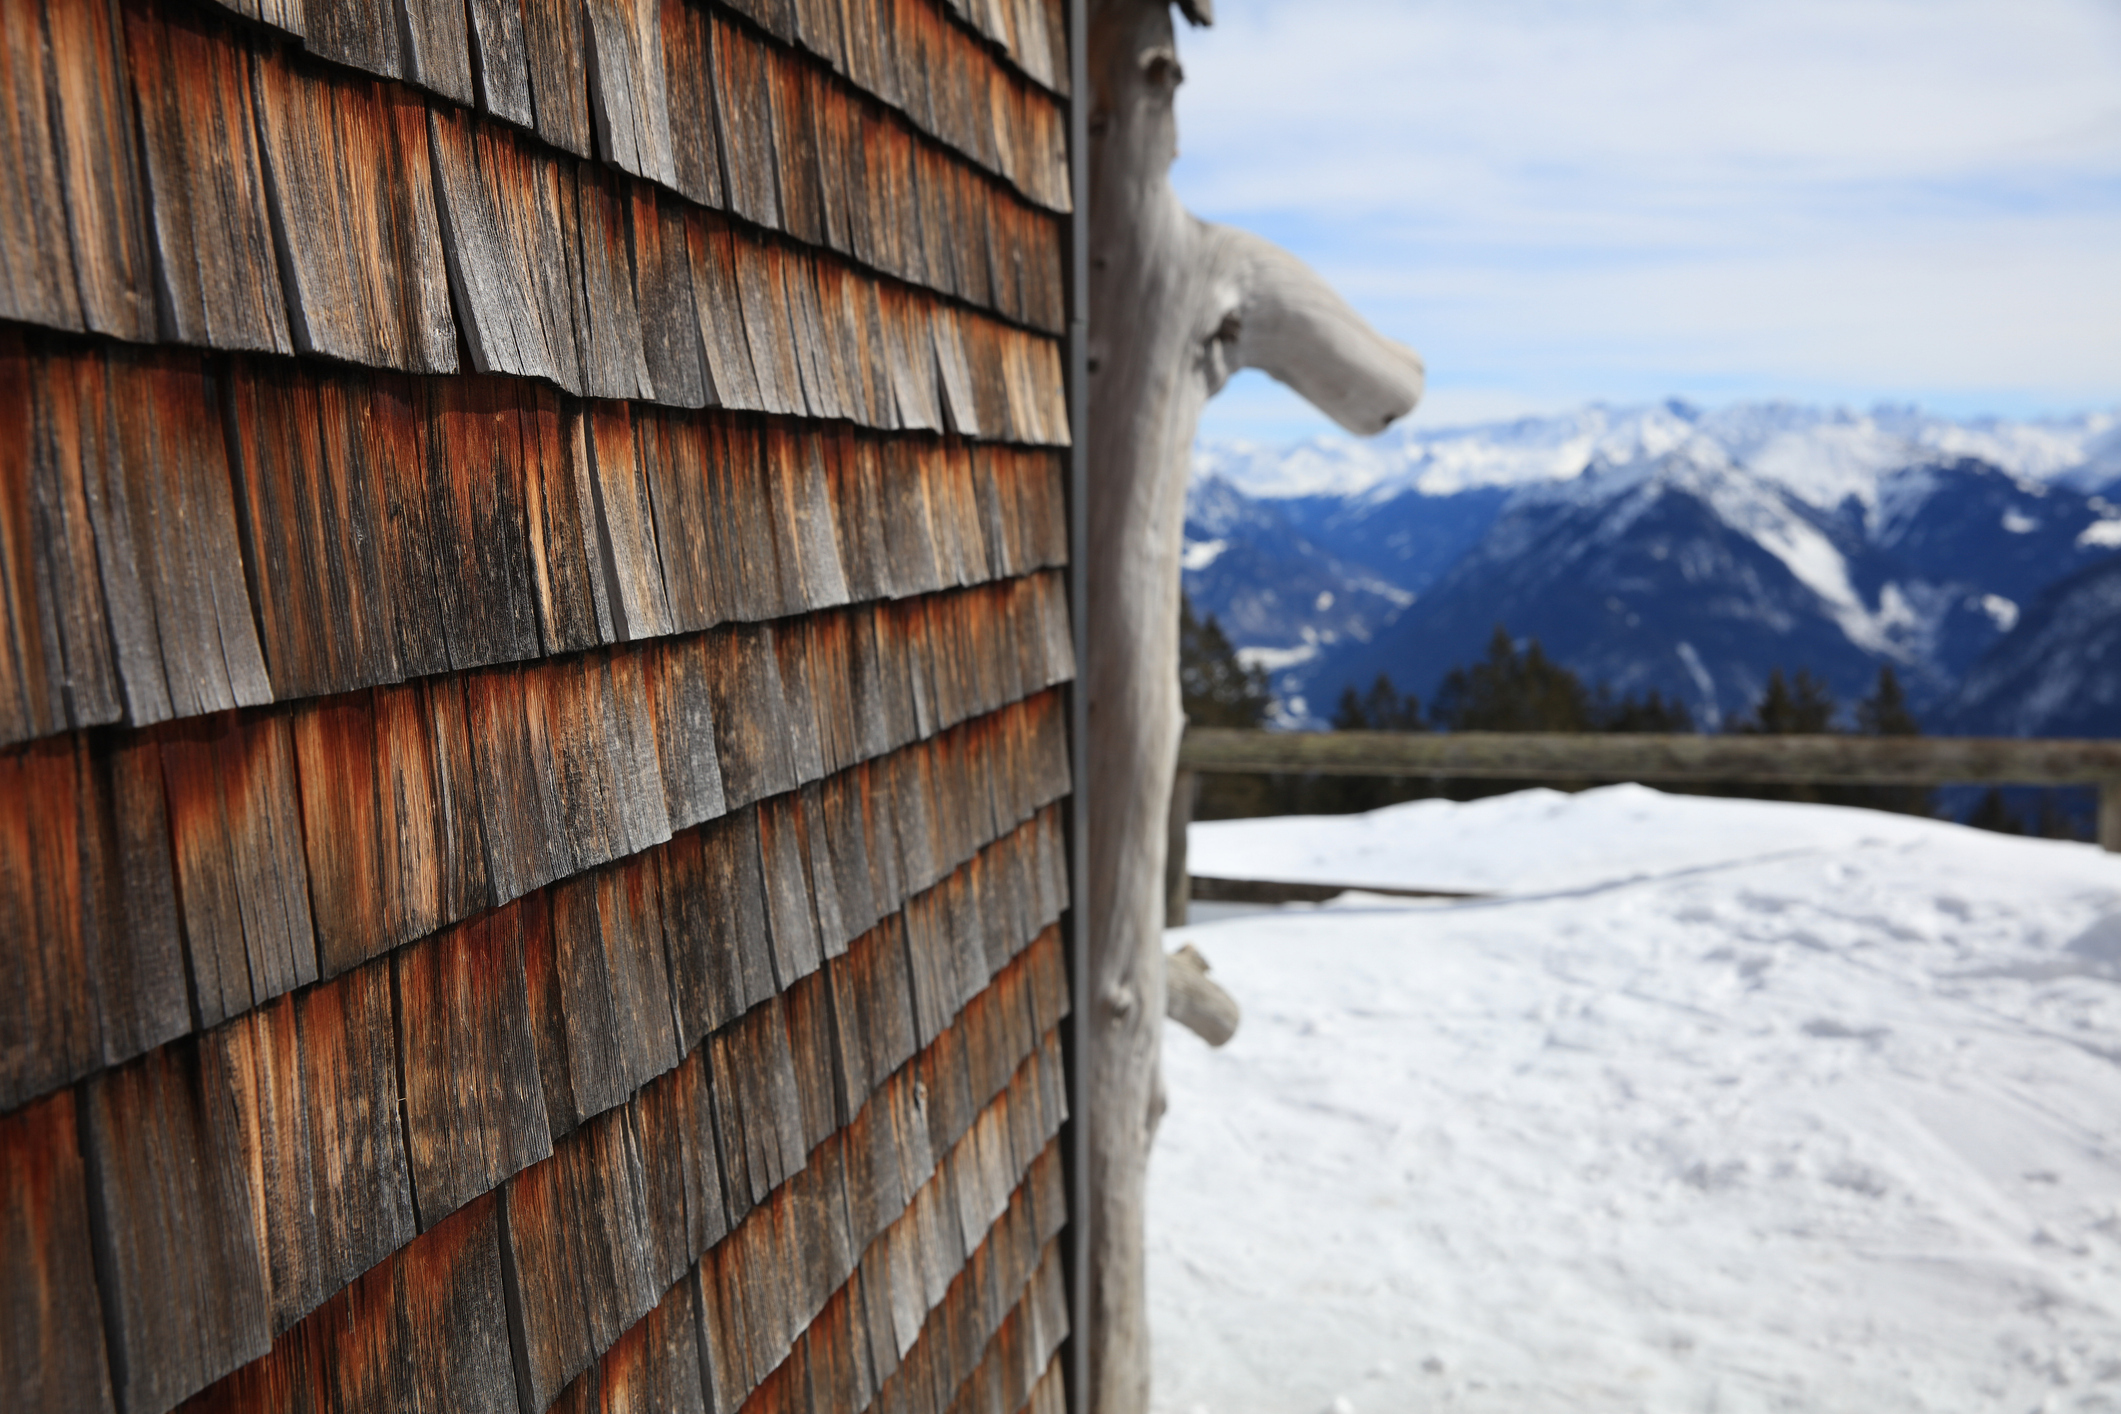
(1717, 1106)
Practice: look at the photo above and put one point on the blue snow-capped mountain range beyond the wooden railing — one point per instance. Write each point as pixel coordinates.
(1681, 550)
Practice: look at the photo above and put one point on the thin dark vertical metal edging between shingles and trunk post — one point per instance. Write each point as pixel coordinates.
(1076, 1040)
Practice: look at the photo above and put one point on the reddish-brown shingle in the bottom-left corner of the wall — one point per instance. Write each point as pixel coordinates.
(52, 1351)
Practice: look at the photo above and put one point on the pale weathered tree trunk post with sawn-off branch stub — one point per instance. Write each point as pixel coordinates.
(1176, 308)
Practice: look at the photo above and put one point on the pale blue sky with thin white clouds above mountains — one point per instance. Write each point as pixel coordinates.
(1560, 202)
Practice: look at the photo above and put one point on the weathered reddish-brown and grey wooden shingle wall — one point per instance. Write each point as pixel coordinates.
(531, 705)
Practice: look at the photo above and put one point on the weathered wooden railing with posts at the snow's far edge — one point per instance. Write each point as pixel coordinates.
(1649, 758)
